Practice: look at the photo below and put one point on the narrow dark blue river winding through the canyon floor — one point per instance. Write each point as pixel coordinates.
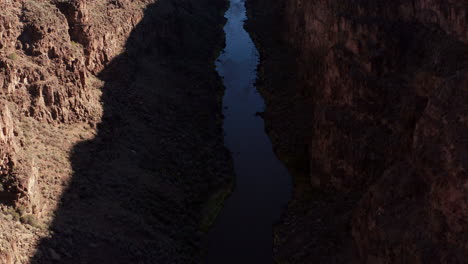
(242, 234)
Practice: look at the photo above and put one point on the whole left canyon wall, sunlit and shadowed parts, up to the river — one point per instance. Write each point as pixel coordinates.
(120, 77)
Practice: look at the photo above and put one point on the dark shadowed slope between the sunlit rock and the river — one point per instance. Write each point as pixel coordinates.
(138, 186)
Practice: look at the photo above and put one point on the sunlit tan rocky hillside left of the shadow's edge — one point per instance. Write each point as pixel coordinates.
(50, 53)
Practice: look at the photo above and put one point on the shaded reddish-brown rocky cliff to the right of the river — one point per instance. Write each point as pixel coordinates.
(376, 104)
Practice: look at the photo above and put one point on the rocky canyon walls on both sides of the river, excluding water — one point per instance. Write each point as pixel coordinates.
(112, 147)
